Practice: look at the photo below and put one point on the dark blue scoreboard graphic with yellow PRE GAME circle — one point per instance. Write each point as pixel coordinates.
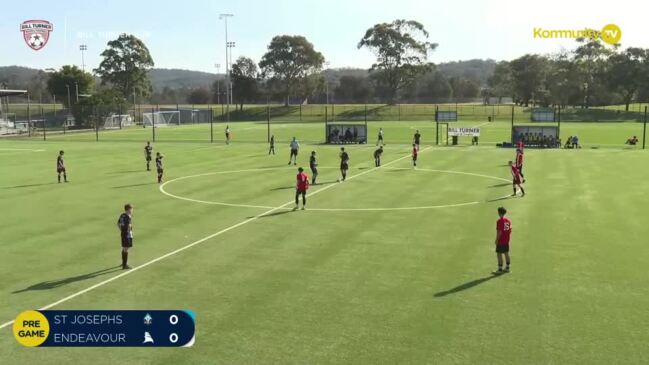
(109, 328)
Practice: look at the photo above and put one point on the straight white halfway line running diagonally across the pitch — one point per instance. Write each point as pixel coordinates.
(151, 262)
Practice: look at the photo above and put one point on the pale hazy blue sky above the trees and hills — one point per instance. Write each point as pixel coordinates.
(189, 35)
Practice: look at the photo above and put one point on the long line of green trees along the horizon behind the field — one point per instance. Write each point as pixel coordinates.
(292, 70)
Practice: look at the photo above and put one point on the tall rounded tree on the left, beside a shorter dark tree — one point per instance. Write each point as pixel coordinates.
(126, 64)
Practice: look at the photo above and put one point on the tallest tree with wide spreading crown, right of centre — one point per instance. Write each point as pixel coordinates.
(401, 51)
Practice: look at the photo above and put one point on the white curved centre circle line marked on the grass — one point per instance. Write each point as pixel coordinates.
(329, 209)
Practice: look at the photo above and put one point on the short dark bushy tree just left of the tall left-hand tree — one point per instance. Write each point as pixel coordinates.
(67, 76)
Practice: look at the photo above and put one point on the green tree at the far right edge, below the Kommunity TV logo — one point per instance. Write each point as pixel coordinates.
(627, 73)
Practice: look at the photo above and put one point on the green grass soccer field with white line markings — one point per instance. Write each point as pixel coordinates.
(392, 266)
